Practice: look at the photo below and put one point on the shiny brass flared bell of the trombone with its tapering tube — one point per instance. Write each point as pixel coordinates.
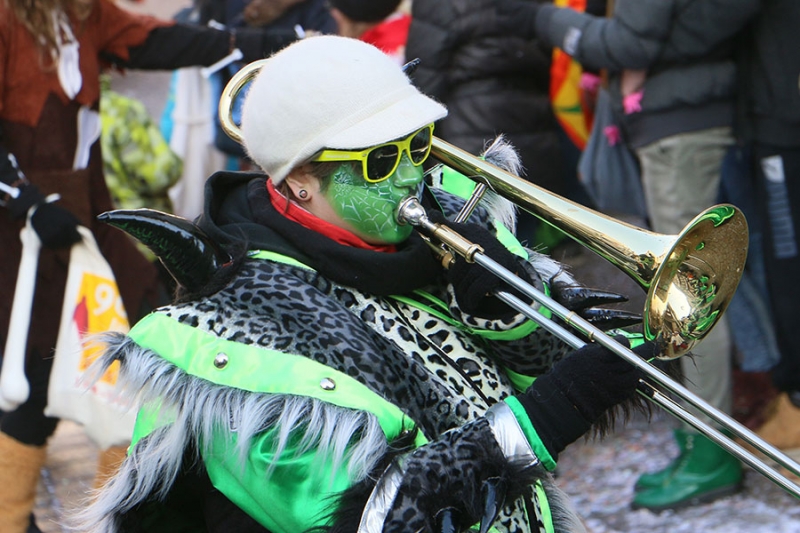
(690, 278)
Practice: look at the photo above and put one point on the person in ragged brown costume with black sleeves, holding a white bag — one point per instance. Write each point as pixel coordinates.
(51, 55)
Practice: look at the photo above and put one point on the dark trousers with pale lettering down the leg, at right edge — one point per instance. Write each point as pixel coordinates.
(778, 172)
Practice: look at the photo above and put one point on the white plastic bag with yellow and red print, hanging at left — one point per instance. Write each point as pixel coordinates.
(92, 305)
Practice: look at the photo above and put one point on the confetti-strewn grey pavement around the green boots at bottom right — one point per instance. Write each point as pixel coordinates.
(600, 479)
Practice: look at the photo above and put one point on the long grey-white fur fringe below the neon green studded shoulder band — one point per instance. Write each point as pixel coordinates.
(345, 437)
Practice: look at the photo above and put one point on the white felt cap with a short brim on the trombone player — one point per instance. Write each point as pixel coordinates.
(328, 92)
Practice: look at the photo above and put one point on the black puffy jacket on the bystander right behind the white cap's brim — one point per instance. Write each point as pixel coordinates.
(491, 83)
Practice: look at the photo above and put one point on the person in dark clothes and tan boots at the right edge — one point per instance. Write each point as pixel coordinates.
(769, 69)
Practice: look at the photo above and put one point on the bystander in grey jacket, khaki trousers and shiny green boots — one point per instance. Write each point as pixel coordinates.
(675, 93)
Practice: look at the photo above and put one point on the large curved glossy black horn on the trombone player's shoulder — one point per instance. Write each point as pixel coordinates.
(188, 254)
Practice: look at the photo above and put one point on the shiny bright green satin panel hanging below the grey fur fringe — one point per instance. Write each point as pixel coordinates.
(294, 498)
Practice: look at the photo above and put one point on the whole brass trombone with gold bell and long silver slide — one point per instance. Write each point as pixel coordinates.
(690, 278)
